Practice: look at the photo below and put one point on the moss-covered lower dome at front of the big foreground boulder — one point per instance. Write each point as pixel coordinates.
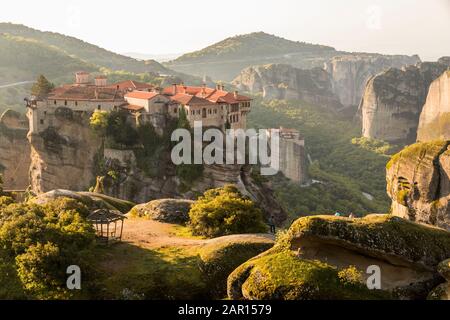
(282, 275)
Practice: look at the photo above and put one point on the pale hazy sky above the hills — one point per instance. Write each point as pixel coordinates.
(174, 26)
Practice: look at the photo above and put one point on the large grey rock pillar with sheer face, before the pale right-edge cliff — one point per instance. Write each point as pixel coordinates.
(393, 101)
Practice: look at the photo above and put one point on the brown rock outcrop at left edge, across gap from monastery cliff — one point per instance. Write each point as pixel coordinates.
(14, 150)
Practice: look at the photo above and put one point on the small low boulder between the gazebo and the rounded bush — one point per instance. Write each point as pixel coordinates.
(164, 210)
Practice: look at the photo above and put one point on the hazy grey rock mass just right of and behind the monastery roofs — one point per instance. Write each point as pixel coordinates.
(281, 81)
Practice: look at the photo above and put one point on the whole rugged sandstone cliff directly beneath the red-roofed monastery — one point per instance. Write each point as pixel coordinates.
(67, 155)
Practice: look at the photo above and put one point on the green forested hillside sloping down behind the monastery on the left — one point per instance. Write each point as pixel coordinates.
(26, 53)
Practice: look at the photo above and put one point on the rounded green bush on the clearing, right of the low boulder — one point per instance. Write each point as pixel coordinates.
(224, 211)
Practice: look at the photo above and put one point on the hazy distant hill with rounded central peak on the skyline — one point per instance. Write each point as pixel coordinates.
(225, 59)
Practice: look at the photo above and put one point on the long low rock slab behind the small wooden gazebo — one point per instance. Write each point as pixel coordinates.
(91, 200)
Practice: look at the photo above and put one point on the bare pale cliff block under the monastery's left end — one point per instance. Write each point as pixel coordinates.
(62, 156)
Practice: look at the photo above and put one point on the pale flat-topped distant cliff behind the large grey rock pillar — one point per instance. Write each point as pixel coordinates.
(350, 73)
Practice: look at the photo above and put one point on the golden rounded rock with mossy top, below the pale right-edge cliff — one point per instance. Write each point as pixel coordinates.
(418, 183)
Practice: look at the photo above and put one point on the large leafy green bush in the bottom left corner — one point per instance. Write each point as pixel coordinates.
(38, 243)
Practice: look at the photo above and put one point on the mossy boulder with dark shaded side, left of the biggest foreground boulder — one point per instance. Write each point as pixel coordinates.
(220, 256)
